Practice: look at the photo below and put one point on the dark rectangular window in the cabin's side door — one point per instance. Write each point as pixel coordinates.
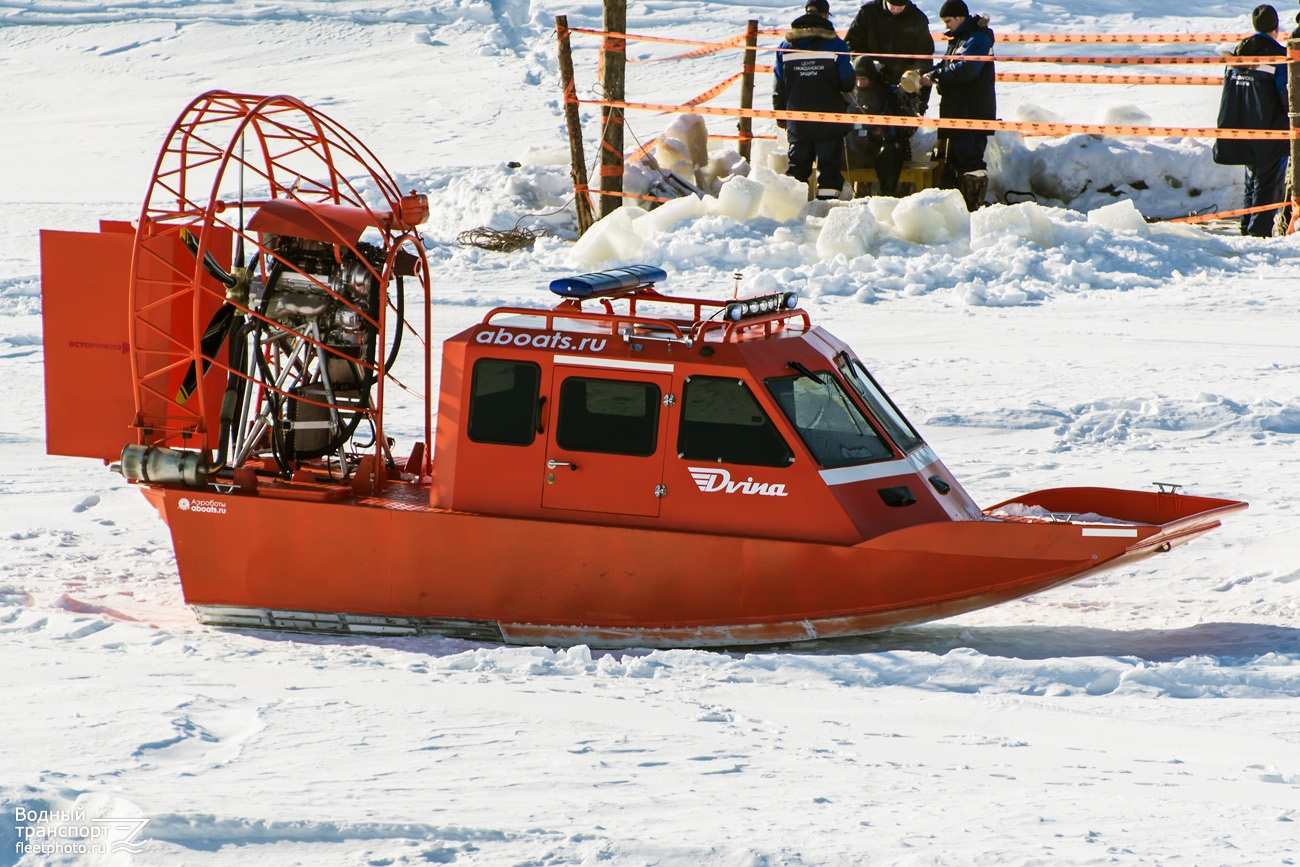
(612, 417)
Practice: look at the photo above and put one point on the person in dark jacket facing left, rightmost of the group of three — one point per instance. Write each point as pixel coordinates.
(967, 90)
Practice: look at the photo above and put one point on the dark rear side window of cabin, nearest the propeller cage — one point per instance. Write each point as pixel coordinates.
(504, 402)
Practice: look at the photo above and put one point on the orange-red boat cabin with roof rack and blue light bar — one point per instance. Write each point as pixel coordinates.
(627, 406)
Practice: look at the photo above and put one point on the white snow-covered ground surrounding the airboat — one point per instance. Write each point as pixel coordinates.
(1150, 716)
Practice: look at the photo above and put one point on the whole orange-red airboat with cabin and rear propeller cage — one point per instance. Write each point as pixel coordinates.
(622, 469)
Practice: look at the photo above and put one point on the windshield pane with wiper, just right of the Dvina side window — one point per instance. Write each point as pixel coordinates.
(829, 423)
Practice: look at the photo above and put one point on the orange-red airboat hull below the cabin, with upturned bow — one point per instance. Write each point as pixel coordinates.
(545, 583)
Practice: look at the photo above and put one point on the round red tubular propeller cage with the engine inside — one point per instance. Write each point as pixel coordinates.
(292, 343)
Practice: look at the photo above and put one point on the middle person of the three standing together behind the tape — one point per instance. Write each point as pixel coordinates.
(891, 28)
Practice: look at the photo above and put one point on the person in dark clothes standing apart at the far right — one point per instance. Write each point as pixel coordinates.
(1255, 98)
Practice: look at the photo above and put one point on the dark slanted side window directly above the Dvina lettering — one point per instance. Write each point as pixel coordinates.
(722, 422)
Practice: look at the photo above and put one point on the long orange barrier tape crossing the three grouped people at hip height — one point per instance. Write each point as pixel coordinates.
(961, 124)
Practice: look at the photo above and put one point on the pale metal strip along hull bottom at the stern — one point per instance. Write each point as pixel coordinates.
(348, 625)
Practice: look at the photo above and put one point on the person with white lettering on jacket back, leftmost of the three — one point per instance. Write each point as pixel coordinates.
(814, 75)
